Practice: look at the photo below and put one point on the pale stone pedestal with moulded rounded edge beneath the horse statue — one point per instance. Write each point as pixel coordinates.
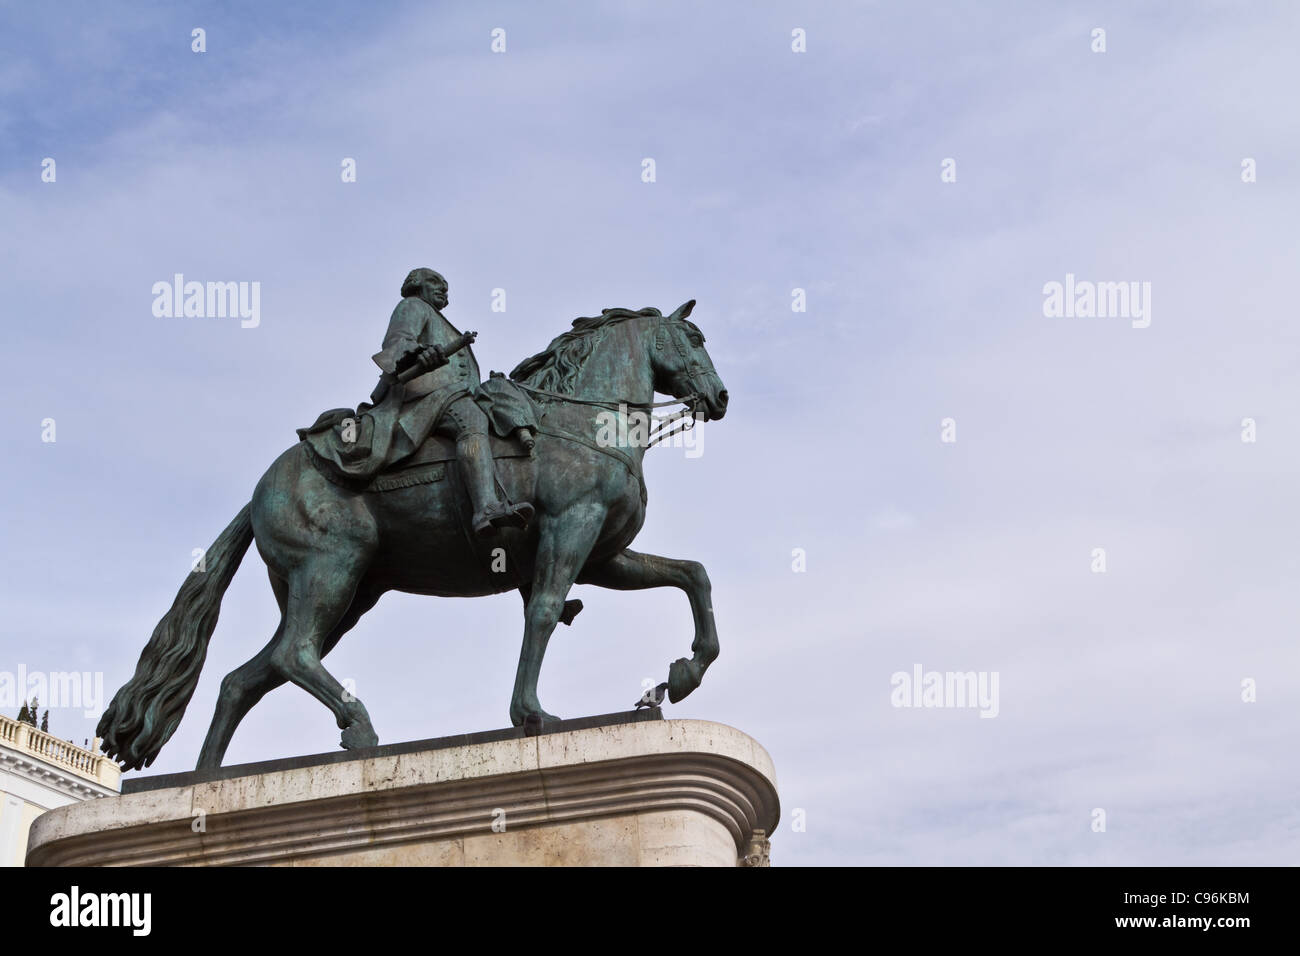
(626, 790)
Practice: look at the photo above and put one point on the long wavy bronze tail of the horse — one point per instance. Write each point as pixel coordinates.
(148, 708)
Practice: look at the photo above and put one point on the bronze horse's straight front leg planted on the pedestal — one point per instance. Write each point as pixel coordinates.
(565, 543)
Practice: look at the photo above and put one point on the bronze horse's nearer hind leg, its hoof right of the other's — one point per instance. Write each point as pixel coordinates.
(319, 598)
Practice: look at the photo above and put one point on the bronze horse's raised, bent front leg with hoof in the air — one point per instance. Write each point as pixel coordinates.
(635, 572)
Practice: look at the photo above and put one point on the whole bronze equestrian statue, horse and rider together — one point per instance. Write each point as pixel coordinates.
(366, 503)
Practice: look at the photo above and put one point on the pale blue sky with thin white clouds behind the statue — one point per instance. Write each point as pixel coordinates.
(917, 469)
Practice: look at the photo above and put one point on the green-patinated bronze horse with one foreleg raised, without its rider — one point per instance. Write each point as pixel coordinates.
(333, 551)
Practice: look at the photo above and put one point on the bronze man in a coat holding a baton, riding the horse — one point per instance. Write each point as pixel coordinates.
(443, 399)
